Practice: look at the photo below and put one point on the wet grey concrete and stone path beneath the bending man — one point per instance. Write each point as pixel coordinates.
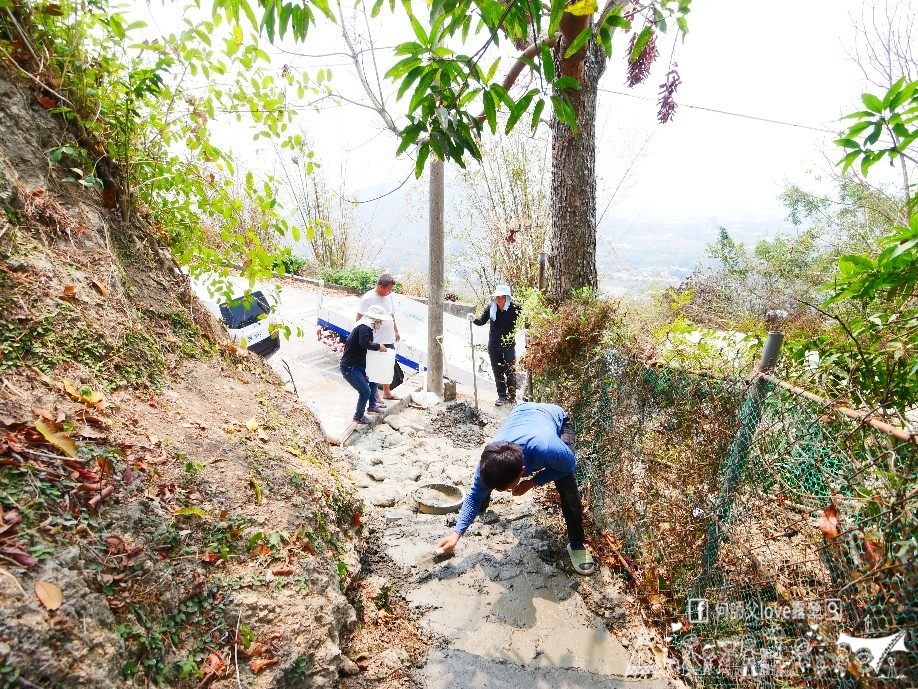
(506, 604)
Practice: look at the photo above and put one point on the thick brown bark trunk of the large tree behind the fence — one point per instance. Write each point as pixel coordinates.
(573, 178)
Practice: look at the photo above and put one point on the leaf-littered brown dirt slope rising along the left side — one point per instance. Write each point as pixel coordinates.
(170, 514)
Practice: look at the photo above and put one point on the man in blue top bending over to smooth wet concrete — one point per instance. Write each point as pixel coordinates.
(534, 446)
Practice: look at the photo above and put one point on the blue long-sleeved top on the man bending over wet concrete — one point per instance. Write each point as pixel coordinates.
(537, 428)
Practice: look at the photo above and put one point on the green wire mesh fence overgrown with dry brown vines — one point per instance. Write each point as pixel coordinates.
(772, 539)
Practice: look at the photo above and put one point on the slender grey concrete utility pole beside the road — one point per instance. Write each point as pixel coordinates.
(435, 280)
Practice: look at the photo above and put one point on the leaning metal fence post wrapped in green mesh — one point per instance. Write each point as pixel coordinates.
(737, 456)
